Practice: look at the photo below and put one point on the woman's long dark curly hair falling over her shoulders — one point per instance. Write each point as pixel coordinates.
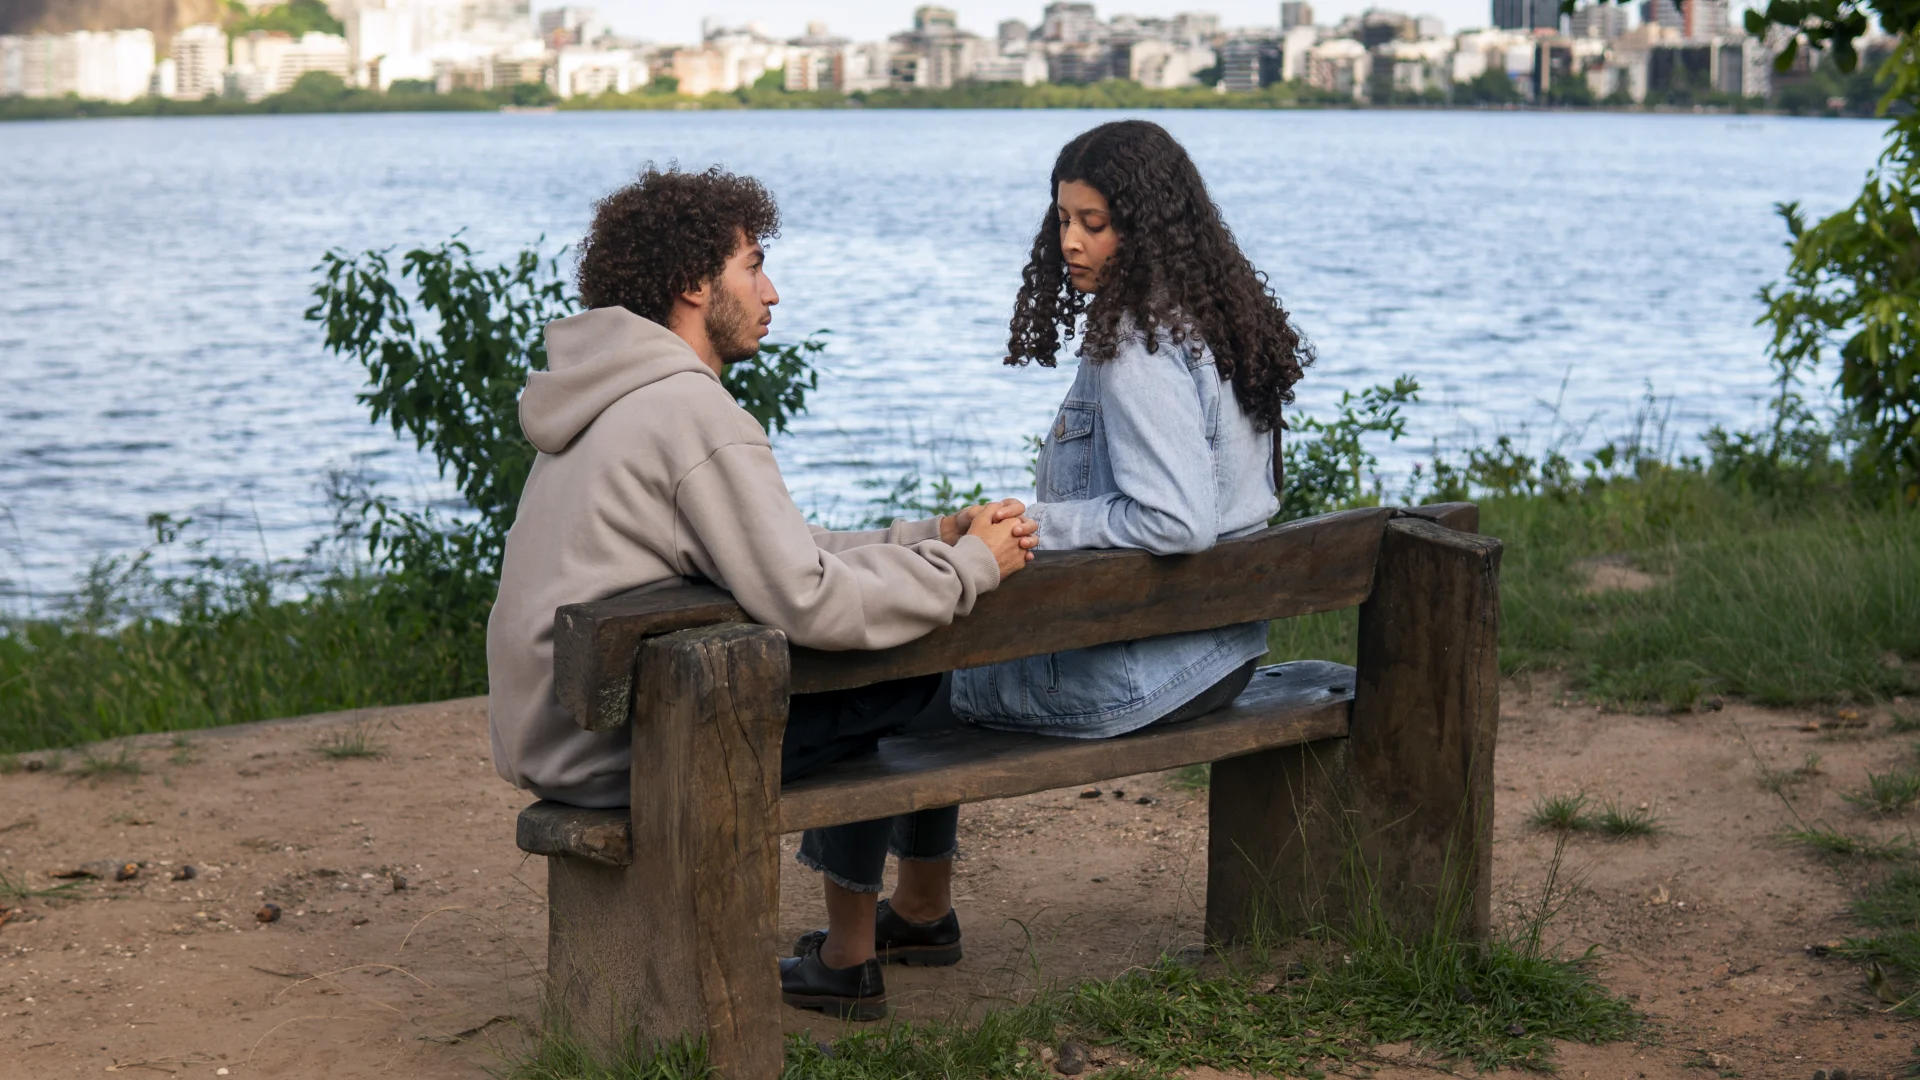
(1176, 270)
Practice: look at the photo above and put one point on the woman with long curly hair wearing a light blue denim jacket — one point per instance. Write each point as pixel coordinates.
(1166, 437)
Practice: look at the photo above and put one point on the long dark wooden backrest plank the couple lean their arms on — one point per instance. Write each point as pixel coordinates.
(1063, 601)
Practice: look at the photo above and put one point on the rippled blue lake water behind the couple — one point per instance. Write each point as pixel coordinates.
(1522, 266)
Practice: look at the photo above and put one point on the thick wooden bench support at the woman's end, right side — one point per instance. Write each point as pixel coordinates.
(1399, 814)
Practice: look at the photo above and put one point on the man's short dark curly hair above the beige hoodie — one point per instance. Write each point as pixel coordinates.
(669, 233)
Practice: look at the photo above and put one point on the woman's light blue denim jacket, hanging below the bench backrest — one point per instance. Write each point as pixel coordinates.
(1151, 451)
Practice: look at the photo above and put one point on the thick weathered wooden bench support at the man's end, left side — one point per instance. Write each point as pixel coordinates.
(683, 941)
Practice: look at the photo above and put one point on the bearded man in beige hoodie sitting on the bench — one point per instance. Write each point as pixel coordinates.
(652, 474)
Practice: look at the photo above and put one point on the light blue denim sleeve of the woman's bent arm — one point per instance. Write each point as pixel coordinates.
(1157, 443)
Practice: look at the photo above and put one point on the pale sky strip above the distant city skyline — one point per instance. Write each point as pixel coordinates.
(873, 20)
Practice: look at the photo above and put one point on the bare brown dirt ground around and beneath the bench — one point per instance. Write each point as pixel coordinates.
(1706, 925)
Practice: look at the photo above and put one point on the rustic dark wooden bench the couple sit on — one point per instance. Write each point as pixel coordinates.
(663, 920)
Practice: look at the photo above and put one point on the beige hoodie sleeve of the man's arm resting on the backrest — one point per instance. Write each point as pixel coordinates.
(740, 529)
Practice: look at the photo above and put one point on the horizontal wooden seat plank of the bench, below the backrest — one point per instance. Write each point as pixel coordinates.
(1285, 706)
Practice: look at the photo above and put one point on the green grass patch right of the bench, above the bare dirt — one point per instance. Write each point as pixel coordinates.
(1785, 602)
